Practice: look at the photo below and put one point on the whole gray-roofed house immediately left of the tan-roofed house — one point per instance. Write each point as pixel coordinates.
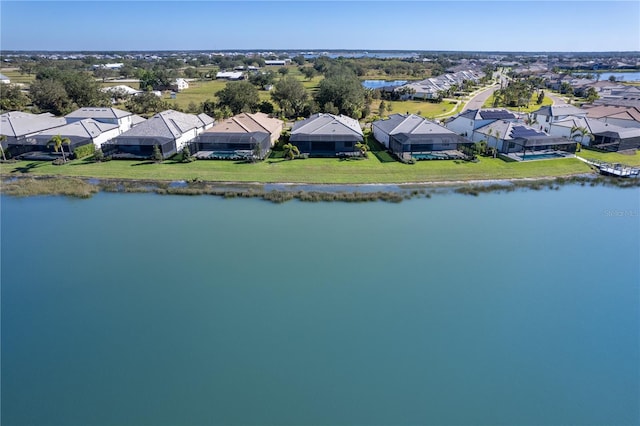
(170, 130)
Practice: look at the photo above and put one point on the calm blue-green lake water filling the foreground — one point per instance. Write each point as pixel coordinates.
(502, 309)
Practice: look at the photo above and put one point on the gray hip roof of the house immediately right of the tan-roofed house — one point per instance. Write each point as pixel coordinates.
(328, 127)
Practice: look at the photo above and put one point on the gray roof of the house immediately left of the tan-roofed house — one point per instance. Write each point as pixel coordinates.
(168, 124)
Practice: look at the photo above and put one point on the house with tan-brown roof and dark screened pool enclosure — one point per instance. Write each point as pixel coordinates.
(238, 136)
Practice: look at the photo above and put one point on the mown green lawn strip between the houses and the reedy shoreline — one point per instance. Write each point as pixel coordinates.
(316, 170)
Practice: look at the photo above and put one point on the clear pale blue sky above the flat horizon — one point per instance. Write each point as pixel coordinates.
(369, 25)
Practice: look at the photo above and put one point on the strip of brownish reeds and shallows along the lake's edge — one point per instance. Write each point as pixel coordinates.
(26, 186)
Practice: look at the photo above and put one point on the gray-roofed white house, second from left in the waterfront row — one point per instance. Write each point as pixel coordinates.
(79, 133)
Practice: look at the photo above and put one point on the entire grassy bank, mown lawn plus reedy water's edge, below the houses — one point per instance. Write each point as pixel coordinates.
(387, 179)
